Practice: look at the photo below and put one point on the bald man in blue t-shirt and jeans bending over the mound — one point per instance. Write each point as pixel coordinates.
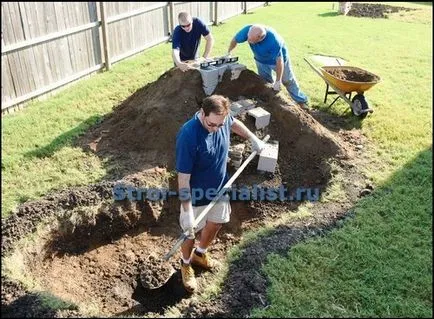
(270, 53)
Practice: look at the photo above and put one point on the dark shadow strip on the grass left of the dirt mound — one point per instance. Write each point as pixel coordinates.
(65, 139)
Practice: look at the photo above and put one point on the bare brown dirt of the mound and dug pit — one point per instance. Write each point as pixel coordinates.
(78, 252)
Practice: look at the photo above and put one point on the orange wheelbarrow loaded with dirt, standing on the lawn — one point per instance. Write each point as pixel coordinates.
(344, 87)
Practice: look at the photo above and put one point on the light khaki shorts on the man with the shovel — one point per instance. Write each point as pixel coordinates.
(220, 213)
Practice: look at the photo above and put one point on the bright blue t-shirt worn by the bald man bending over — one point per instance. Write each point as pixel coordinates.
(267, 50)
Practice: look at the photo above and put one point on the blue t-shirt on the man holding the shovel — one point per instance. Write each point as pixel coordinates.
(203, 155)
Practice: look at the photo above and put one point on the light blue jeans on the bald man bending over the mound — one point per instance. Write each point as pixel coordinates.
(288, 79)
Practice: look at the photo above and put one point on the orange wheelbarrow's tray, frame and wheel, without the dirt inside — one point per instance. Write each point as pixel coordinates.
(344, 88)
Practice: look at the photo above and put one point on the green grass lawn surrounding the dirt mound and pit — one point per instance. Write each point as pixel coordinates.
(377, 265)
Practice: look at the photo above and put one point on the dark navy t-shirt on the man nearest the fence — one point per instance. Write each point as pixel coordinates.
(188, 42)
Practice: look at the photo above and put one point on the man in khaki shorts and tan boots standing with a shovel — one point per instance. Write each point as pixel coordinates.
(202, 147)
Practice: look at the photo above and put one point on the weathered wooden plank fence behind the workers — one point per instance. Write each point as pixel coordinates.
(46, 45)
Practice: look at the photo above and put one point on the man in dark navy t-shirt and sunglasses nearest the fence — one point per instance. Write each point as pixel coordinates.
(186, 40)
